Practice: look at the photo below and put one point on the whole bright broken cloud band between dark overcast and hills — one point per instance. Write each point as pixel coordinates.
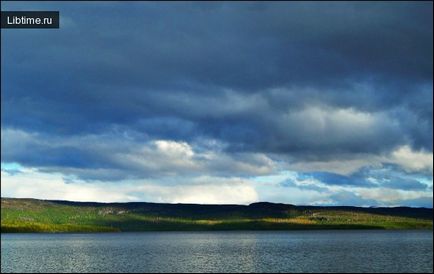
(172, 171)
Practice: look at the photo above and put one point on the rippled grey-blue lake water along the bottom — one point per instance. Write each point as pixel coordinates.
(289, 251)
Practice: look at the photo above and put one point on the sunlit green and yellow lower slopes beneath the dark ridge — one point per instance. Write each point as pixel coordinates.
(40, 216)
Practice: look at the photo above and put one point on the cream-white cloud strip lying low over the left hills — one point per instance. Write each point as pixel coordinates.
(31, 183)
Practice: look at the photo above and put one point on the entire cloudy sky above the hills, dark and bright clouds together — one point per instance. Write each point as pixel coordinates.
(308, 103)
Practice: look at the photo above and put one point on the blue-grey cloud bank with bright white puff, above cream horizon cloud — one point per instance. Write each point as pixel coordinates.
(114, 153)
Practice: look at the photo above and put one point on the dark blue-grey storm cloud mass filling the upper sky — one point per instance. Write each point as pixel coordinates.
(309, 80)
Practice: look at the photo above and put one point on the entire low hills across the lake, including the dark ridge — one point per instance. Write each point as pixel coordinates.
(28, 215)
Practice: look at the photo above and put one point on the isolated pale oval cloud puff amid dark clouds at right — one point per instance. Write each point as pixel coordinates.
(321, 127)
